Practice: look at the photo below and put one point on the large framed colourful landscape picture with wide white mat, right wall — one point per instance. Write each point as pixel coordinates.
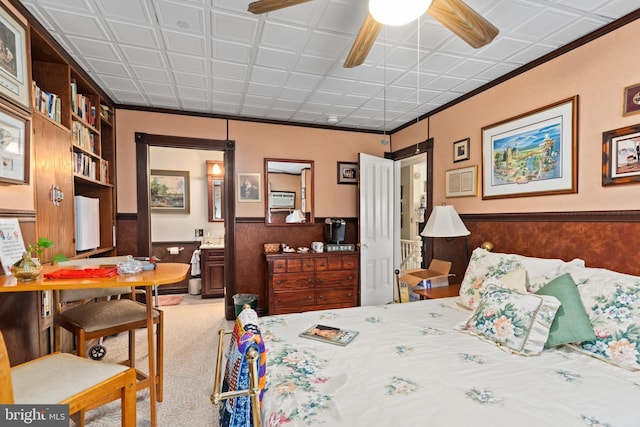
(532, 154)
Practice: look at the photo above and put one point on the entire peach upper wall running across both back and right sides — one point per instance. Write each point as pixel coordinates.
(596, 72)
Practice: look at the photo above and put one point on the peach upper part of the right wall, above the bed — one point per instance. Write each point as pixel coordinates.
(597, 73)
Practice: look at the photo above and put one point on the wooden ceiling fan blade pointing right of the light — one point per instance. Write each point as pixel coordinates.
(463, 21)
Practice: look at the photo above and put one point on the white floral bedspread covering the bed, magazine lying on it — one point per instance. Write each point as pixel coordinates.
(408, 366)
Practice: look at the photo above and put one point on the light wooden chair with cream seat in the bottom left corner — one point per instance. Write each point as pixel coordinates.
(62, 378)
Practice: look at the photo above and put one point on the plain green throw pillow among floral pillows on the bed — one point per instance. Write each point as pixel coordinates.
(571, 323)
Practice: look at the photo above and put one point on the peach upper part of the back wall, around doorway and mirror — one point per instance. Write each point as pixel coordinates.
(254, 143)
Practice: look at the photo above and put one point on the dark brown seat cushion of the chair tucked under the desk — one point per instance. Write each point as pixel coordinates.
(99, 315)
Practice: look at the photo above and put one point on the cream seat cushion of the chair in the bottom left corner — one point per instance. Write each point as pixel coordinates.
(55, 378)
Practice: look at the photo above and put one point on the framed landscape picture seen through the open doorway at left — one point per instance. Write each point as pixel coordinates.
(169, 191)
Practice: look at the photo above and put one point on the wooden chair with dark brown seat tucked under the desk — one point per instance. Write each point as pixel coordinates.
(102, 317)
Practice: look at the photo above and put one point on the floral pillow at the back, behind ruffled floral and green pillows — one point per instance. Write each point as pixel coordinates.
(484, 265)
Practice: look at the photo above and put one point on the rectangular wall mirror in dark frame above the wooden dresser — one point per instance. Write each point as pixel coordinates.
(288, 192)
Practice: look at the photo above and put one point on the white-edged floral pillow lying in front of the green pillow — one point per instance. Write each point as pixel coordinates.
(520, 322)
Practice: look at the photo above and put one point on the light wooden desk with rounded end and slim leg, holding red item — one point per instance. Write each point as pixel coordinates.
(164, 274)
